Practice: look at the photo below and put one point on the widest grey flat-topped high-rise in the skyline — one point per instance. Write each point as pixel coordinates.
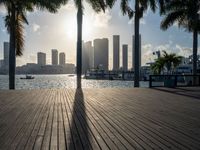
(101, 53)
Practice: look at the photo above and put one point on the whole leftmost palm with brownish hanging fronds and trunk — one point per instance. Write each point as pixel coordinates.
(14, 22)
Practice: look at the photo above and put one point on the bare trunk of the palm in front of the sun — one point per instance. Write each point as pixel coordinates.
(79, 46)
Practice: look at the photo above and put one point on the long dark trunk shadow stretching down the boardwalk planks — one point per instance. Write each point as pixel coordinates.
(80, 138)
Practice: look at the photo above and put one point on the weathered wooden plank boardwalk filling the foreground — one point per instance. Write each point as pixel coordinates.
(100, 119)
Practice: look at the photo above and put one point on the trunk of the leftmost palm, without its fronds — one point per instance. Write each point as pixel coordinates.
(12, 57)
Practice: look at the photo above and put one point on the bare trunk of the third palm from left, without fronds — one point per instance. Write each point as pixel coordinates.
(136, 46)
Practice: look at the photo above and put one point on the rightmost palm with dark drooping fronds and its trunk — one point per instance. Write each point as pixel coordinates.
(185, 14)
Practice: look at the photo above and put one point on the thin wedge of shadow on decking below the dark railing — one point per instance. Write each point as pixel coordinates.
(182, 92)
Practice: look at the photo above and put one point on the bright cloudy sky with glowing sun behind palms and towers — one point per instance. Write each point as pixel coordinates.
(48, 31)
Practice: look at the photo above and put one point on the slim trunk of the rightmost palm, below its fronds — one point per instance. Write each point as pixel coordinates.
(195, 47)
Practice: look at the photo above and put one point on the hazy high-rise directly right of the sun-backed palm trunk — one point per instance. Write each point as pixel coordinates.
(87, 56)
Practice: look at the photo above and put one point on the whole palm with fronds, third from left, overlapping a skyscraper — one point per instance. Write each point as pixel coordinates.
(140, 7)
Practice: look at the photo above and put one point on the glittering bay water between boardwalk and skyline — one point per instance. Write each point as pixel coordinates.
(64, 81)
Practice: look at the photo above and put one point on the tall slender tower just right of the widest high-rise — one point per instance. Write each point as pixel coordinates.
(116, 47)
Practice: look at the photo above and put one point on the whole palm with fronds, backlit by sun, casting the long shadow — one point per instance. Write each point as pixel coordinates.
(97, 5)
